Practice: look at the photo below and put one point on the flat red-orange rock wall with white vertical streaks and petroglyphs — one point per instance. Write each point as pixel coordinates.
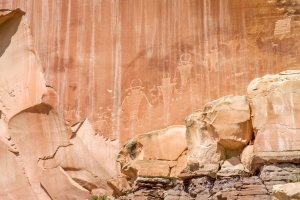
(118, 62)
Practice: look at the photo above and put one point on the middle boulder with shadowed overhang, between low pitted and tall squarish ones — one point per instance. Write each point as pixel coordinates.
(218, 131)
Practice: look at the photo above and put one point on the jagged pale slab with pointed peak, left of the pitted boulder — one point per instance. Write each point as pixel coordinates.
(86, 159)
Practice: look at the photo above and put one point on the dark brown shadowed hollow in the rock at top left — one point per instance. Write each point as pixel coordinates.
(8, 27)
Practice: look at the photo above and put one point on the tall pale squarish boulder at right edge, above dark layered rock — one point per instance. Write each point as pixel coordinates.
(275, 106)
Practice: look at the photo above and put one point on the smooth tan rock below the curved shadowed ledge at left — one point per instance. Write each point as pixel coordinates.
(38, 132)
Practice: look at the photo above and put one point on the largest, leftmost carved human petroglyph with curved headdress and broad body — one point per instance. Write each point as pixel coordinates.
(132, 102)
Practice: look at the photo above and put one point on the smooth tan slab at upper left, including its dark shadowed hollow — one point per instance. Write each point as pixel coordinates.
(21, 80)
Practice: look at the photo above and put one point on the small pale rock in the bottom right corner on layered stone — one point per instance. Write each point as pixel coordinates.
(286, 192)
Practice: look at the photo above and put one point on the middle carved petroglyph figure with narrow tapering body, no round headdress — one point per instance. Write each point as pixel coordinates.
(166, 90)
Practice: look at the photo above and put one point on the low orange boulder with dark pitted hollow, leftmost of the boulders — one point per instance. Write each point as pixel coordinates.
(157, 154)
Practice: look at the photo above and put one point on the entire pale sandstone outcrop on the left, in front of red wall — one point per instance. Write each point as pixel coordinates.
(42, 156)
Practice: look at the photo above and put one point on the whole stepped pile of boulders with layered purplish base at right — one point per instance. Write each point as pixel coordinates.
(236, 147)
